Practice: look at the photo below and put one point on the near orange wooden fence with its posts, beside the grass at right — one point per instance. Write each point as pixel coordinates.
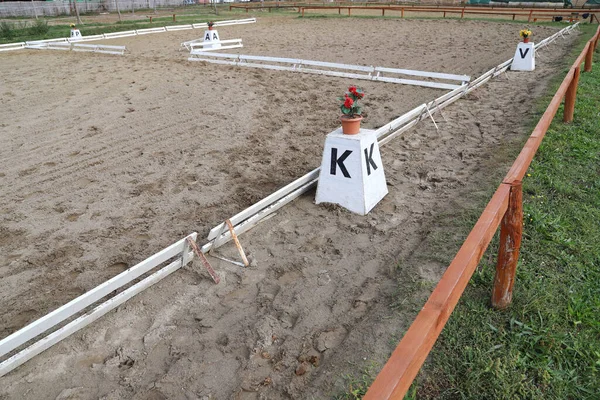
(506, 209)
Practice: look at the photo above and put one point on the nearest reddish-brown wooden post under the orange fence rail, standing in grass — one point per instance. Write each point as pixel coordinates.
(510, 244)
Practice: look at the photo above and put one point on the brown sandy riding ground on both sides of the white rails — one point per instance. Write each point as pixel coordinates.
(107, 159)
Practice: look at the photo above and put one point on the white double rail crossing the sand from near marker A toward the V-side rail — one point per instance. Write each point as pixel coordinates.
(297, 65)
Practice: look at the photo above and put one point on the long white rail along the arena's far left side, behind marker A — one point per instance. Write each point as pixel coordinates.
(114, 35)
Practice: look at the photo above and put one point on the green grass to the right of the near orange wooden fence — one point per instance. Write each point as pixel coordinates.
(547, 344)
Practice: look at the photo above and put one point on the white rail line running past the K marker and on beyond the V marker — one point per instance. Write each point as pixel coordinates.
(251, 216)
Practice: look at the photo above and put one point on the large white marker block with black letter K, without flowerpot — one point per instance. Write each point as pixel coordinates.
(352, 172)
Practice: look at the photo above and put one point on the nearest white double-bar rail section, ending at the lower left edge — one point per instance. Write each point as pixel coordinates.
(180, 250)
